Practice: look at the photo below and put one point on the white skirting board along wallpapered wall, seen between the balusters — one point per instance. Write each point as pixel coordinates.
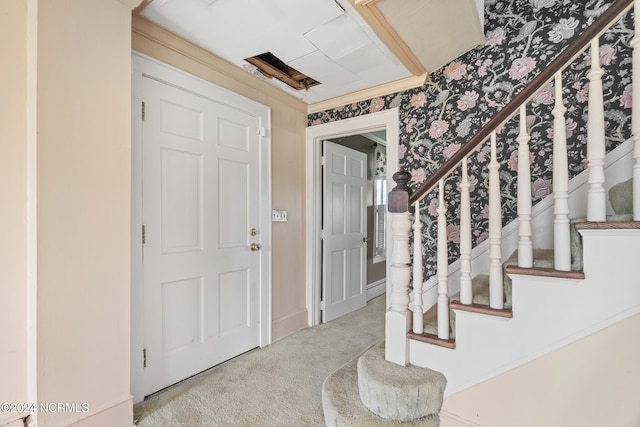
(618, 168)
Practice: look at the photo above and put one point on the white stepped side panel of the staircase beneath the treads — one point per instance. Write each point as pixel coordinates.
(548, 313)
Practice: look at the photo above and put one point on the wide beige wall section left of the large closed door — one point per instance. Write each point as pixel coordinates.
(83, 179)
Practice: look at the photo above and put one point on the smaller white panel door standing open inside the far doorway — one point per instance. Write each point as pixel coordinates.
(344, 253)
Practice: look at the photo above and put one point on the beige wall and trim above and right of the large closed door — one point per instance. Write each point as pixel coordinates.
(288, 124)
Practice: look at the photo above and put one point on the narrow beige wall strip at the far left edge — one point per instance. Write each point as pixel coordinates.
(13, 202)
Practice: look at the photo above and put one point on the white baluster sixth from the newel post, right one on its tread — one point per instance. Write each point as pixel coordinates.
(561, 227)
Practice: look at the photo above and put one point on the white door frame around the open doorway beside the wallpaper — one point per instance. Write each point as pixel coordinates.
(382, 120)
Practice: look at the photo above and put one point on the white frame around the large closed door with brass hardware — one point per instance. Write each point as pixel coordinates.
(144, 66)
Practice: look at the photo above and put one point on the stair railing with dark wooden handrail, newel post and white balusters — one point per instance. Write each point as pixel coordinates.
(401, 199)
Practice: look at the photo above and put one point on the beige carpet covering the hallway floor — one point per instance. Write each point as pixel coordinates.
(279, 385)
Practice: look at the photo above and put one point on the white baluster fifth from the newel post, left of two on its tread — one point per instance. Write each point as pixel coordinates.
(525, 245)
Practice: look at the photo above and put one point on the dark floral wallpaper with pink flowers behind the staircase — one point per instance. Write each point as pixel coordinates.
(522, 36)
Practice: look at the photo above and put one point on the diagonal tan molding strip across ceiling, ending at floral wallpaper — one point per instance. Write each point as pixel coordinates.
(384, 30)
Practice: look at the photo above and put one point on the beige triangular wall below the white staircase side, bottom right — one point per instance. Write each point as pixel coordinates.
(592, 382)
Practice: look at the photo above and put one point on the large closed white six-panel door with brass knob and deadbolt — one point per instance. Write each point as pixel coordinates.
(200, 216)
